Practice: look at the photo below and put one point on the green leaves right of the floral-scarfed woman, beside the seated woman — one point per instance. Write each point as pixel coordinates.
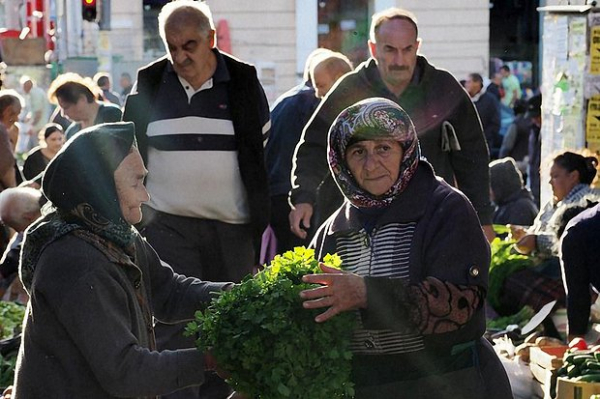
(505, 261)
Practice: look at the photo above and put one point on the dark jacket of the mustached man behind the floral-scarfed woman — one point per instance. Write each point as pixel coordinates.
(434, 100)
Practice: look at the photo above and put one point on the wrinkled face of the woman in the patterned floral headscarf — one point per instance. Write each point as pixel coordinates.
(375, 164)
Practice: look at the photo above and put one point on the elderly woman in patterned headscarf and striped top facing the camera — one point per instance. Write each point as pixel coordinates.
(415, 266)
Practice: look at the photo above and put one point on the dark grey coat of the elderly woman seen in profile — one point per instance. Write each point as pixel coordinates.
(89, 333)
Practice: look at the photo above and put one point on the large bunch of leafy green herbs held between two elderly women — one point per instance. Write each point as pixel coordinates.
(271, 345)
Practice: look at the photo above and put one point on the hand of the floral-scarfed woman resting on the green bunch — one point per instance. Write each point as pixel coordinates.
(340, 291)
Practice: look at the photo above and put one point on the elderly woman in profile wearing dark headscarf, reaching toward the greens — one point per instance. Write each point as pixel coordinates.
(95, 284)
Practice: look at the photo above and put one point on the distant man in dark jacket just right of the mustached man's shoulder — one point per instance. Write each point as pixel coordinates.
(488, 108)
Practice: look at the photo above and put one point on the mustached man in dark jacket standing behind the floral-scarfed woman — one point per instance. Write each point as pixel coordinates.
(449, 131)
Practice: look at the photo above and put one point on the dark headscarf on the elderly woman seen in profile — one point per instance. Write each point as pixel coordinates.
(80, 186)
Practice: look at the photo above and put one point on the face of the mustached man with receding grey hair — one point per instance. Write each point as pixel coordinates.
(395, 51)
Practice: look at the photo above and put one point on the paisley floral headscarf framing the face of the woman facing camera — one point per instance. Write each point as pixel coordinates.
(372, 119)
